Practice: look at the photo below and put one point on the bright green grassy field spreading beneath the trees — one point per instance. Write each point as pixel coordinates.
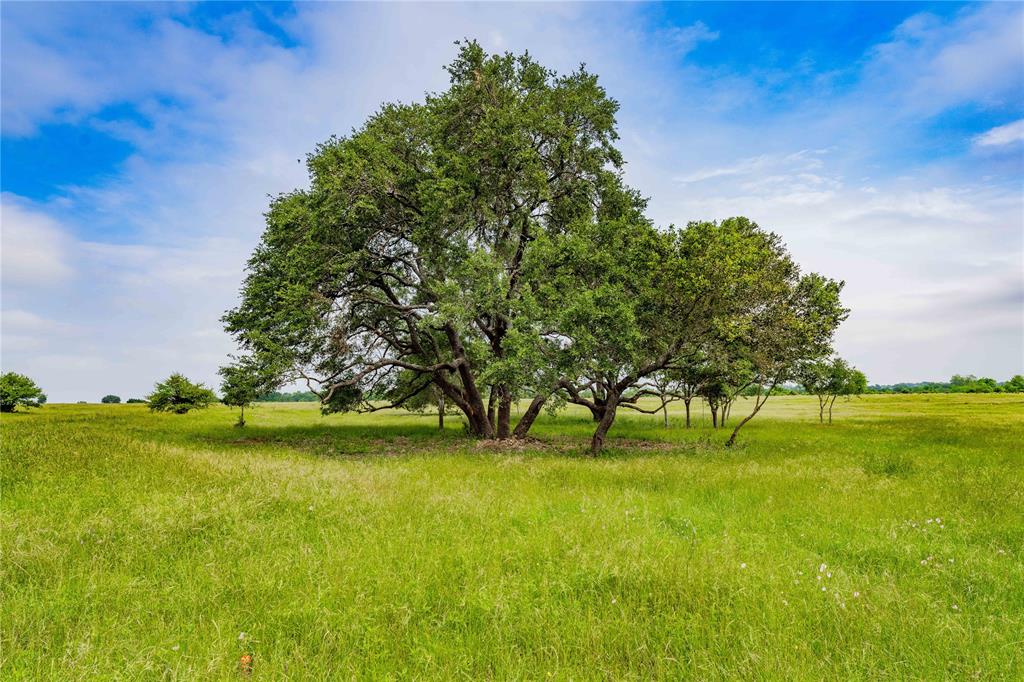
(887, 546)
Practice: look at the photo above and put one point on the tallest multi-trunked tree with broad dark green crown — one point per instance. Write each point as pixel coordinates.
(407, 254)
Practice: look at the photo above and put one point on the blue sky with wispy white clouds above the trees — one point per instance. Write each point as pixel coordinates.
(885, 142)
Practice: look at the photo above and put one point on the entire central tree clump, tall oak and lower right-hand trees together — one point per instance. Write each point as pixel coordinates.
(482, 246)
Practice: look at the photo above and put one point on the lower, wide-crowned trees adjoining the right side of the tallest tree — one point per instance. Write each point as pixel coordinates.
(652, 302)
